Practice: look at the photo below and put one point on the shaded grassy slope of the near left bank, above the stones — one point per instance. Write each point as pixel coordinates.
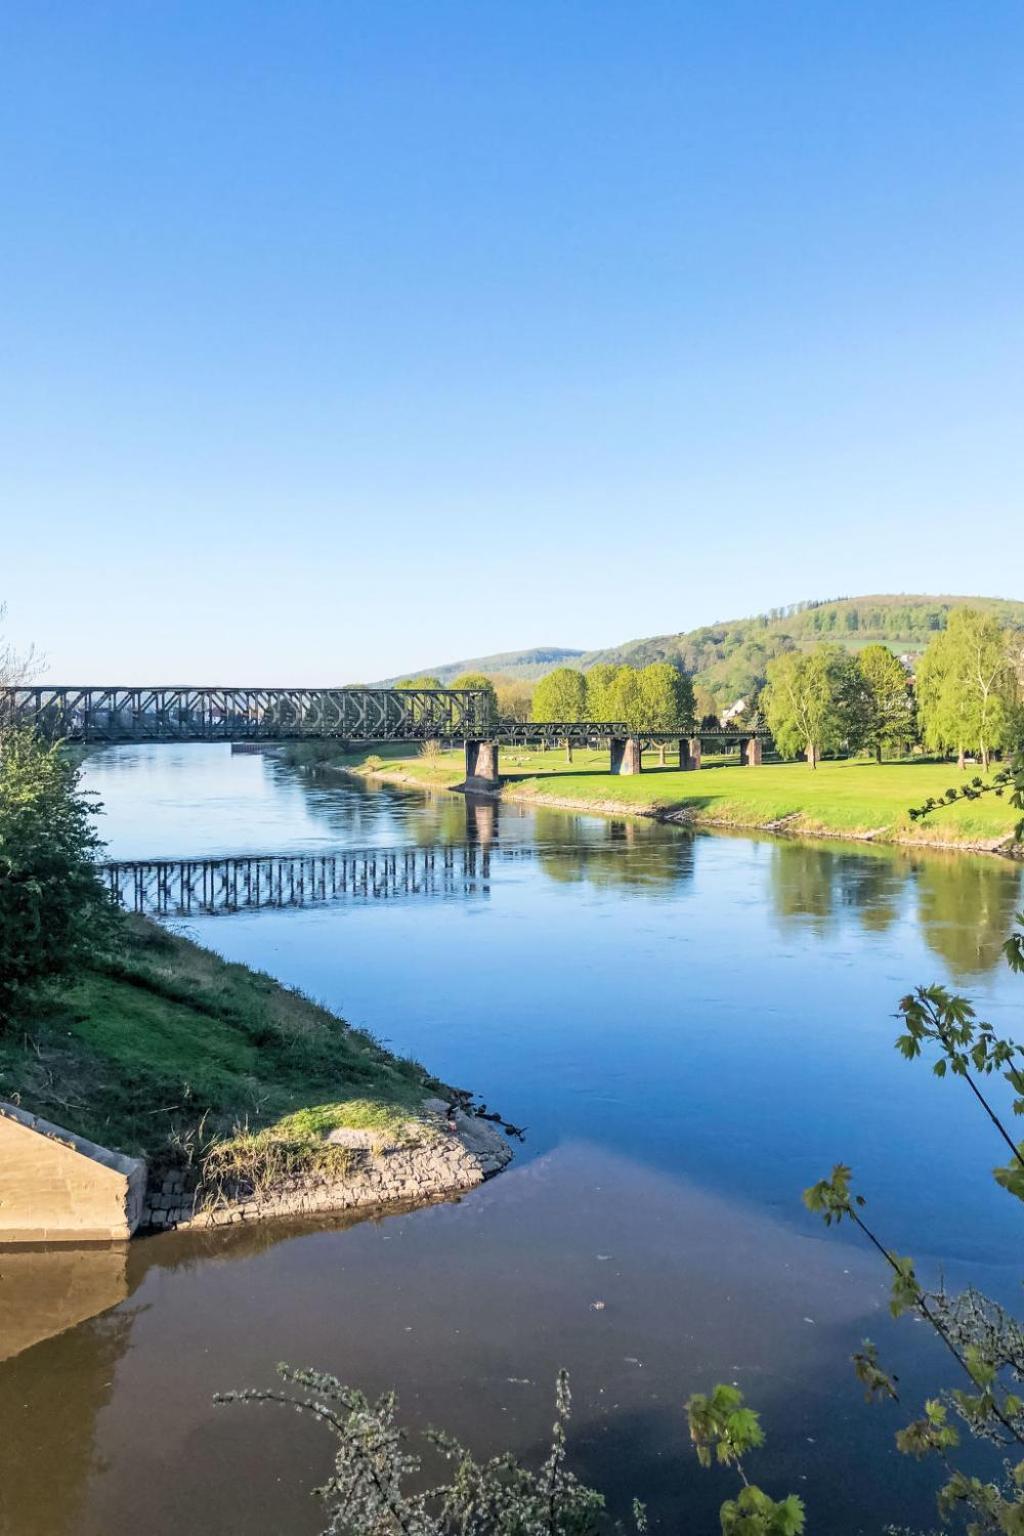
(174, 1054)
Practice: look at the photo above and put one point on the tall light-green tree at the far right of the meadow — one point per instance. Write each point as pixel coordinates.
(966, 686)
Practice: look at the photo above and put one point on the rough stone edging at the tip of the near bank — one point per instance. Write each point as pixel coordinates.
(448, 1157)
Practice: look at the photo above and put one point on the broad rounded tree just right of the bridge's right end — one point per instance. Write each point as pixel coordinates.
(816, 703)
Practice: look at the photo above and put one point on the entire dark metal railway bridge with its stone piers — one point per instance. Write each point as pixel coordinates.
(351, 717)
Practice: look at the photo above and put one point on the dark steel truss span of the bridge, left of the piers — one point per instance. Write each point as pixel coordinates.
(245, 715)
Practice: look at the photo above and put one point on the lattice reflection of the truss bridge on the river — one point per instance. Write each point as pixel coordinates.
(254, 882)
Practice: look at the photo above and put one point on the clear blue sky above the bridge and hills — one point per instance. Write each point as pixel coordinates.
(352, 336)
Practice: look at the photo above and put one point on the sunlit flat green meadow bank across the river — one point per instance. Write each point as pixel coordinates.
(853, 799)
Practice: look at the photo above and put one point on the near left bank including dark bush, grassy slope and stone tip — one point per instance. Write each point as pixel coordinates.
(243, 1096)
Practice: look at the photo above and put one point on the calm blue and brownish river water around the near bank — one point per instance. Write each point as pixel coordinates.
(692, 1030)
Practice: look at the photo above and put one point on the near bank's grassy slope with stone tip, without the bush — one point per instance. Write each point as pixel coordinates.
(243, 1097)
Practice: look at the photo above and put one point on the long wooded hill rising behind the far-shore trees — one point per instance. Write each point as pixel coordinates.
(730, 658)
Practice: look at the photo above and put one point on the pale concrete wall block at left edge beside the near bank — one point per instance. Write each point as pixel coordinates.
(59, 1188)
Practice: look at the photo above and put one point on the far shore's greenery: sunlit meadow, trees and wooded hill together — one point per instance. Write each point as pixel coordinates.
(884, 733)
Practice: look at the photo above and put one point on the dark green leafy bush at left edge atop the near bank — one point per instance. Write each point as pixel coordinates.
(55, 912)
